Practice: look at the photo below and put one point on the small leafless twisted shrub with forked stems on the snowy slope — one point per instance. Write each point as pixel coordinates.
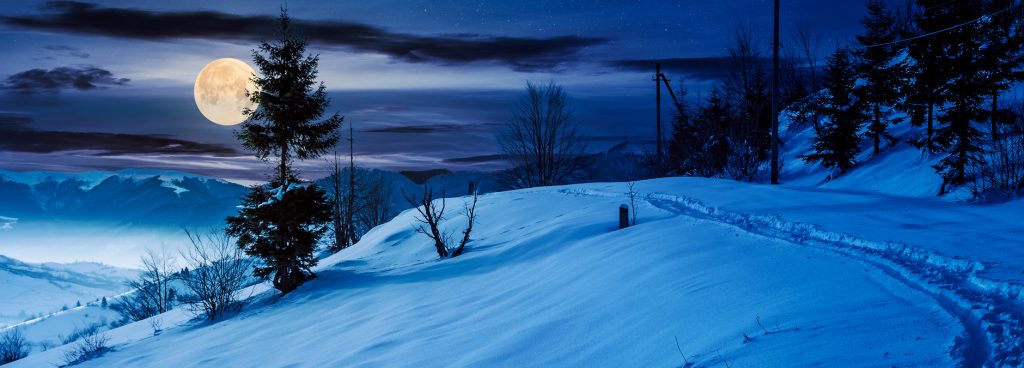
(432, 214)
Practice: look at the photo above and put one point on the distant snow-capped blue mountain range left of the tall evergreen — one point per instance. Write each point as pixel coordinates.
(123, 198)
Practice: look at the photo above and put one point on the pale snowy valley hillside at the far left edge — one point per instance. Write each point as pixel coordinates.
(29, 291)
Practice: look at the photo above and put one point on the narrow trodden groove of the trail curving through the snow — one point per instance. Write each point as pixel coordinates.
(973, 349)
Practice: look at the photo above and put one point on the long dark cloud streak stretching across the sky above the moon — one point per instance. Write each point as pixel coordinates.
(521, 53)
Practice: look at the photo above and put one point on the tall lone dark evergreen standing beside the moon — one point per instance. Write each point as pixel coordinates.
(282, 225)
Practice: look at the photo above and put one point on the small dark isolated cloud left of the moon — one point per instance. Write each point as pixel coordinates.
(54, 80)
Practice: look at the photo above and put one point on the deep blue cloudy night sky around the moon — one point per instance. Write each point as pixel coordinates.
(108, 86)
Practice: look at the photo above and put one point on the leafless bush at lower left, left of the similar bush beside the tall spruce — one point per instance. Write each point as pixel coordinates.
(152, 293)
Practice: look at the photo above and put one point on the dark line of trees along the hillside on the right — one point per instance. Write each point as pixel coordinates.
(946, 67)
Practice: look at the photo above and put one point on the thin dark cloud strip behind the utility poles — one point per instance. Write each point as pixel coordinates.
(711, 68)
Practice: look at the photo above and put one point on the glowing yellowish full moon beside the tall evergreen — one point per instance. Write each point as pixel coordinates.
(221, 91)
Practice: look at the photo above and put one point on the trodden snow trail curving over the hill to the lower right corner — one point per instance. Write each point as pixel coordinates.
(990, 312)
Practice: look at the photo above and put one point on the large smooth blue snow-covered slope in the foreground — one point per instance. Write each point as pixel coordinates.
(738, 274)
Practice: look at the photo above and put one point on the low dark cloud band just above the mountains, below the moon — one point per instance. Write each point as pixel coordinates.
(18, 136)
